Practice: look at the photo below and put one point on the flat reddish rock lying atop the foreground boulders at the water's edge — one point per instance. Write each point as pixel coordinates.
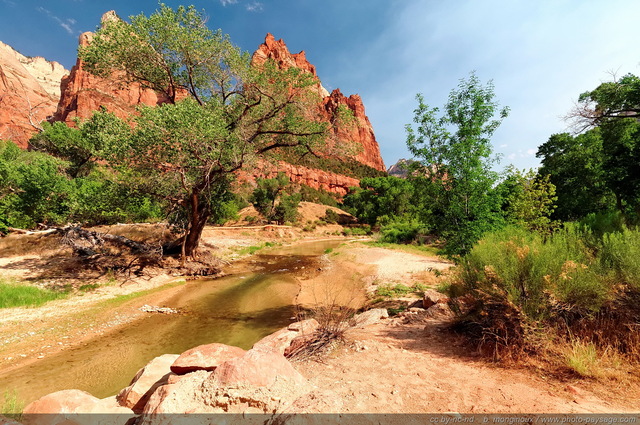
(205, 357)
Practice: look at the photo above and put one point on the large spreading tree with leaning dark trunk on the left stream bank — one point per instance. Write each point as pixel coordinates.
(231, 112)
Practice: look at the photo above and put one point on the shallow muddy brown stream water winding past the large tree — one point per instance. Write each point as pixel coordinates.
(238, 309)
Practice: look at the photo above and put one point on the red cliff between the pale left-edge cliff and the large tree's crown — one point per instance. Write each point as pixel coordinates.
(83, 93)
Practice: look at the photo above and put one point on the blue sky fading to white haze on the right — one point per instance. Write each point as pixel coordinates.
(540, 54)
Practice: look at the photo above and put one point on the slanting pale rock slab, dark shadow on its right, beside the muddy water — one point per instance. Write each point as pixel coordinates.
(154, 374)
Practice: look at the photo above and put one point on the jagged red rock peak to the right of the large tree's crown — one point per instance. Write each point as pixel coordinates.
(361, 133)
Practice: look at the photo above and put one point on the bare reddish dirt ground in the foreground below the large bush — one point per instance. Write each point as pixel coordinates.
(419, 368)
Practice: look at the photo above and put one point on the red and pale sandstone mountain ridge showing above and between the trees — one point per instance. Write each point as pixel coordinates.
(60, 95)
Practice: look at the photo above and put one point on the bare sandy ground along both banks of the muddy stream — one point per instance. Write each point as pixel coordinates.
(403, 364)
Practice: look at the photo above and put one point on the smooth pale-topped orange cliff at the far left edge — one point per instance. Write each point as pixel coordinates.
(29, 93)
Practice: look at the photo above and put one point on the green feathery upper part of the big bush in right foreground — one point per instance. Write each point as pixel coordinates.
(536, 274)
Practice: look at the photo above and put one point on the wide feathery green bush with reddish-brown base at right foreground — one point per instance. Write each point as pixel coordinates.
(579, 286)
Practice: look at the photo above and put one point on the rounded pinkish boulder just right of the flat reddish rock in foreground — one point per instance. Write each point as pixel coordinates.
(257, 368)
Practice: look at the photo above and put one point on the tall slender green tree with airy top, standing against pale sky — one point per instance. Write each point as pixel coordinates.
(456, 153)
